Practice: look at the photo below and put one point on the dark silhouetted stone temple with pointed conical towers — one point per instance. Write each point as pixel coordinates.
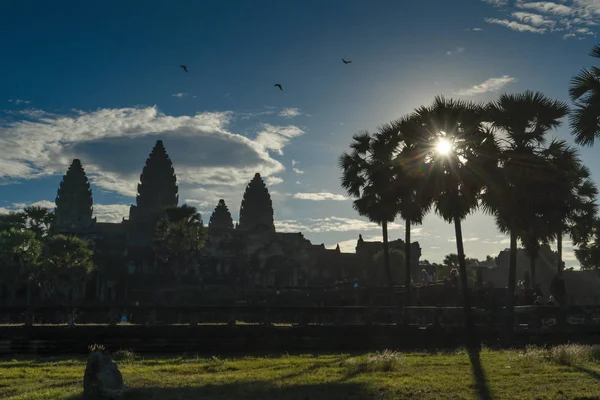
(237, 259)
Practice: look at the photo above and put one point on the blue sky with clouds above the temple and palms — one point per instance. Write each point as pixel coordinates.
(101, 81)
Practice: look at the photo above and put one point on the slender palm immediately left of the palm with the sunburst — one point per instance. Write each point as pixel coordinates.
(413, 200)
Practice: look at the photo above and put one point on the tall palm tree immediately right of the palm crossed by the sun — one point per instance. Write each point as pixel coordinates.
(524, 120)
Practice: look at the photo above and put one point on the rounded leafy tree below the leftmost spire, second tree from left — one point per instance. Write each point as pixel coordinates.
(66, 259)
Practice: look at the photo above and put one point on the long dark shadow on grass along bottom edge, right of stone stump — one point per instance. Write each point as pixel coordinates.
(253, 390)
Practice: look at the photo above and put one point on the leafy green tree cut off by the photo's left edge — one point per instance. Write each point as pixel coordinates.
(19, 258)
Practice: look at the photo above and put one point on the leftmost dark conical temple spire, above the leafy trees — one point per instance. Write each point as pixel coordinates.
(74, 200)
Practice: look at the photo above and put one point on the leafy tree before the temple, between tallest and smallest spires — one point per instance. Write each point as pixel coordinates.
(180, 236)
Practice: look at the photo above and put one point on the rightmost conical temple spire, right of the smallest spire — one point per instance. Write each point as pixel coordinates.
(256, 208)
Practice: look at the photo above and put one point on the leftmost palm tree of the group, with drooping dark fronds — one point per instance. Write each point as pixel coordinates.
(368, 176)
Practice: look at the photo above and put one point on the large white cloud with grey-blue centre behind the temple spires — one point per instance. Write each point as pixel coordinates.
(113, 145)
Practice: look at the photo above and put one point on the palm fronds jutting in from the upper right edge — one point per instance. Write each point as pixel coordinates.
(585, 93)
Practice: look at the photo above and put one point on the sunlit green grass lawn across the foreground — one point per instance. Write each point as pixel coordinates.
(564, 372)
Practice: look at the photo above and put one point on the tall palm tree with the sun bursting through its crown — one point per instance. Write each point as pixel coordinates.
(458, 153)
